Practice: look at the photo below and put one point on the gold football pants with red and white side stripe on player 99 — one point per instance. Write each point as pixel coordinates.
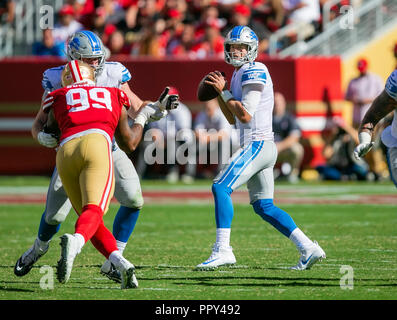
(85, 166)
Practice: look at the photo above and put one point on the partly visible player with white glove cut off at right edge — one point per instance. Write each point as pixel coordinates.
(385, 103)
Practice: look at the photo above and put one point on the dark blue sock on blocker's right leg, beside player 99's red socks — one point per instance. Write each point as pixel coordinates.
(124, 223)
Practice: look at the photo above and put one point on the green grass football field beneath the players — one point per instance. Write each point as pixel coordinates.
(356, 225)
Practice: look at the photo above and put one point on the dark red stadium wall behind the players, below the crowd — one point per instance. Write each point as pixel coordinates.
(310, 85)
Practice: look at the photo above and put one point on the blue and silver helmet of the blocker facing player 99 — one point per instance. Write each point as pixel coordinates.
(86, 44)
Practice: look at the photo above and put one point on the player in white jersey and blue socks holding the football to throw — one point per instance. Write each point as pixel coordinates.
(250, 102)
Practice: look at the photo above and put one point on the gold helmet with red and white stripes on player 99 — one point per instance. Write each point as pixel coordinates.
(77, 72)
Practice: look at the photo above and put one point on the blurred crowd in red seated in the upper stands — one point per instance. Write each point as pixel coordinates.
(180, 28)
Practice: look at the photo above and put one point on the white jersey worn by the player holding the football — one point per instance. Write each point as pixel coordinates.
(260, 126)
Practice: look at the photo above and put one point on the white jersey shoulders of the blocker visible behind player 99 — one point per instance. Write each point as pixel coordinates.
(114, 74)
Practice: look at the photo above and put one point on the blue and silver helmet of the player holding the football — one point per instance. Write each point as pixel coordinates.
(241, 35)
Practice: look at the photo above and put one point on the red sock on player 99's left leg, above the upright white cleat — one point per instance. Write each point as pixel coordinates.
(89, 220)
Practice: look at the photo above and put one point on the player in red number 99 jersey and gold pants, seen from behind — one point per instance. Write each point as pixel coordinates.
(88, 117)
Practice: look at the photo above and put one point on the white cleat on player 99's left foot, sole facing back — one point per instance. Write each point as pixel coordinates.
(70, 248)
